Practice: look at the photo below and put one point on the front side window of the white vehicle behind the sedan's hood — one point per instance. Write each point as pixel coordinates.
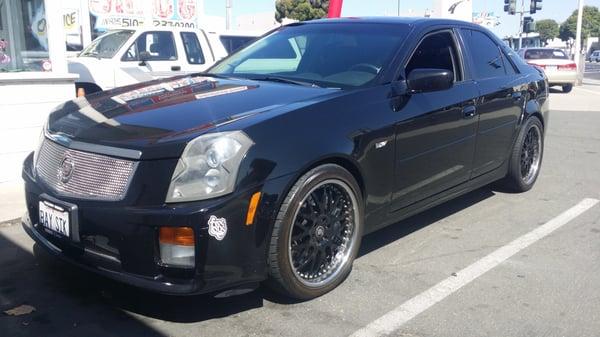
(159, 46)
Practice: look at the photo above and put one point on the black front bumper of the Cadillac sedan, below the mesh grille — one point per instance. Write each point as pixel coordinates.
(120, 240)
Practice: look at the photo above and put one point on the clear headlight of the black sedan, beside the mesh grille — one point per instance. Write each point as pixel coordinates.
(208, 166)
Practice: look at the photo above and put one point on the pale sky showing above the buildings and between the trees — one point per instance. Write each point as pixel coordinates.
(558, 10)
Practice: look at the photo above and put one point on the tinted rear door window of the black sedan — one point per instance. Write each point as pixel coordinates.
(485, 54)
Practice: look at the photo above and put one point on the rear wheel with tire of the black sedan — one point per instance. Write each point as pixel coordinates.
(520, 178)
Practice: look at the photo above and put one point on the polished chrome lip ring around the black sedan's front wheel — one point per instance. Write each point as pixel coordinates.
(341, 259)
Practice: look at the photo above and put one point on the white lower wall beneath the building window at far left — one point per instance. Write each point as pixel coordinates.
(26, 99)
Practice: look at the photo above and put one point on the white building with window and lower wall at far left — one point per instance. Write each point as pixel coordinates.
(33, 76)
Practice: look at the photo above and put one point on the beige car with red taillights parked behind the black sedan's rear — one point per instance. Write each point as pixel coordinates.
(560, 70)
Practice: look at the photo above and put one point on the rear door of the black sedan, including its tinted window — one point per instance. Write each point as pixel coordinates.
(500, 102)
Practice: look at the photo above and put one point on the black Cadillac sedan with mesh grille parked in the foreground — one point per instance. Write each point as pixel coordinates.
(272, 165)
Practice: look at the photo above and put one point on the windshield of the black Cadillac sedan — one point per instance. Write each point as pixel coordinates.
(326, 54)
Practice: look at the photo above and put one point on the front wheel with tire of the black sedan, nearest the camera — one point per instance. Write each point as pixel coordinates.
(331, 230)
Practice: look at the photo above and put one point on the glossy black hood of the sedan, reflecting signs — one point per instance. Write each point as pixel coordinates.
(158, 118)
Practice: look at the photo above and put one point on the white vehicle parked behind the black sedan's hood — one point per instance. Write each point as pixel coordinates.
(126, 56)
